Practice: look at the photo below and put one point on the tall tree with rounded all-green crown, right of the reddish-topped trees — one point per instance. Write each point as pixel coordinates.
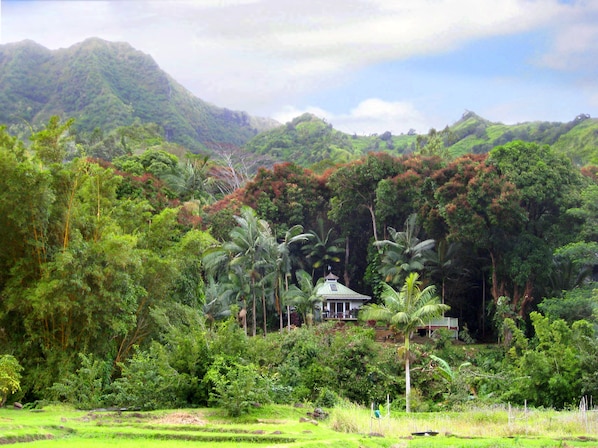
(546, 182)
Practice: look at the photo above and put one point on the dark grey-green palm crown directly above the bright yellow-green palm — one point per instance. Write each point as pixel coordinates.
(404, 253)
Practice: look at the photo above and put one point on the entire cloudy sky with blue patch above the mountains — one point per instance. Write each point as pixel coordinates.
(366, 66)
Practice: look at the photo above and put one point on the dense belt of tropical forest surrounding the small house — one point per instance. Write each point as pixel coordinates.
(161, 280)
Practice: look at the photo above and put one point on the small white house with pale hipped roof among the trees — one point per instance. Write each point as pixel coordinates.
(340, 302)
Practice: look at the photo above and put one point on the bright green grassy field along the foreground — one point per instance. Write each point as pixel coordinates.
(285, 426)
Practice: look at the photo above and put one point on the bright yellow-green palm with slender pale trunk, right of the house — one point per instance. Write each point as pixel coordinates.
(404, 311)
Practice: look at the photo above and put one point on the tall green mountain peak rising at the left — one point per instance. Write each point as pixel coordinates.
(107, 85)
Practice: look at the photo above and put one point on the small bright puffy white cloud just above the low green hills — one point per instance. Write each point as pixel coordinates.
(370, 116)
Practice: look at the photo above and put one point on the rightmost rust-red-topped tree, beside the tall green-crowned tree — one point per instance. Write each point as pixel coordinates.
(473, 204)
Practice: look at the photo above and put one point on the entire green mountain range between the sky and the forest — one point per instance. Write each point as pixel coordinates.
(109, 85)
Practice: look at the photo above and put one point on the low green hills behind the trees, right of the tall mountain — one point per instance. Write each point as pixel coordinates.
(310, 141)
